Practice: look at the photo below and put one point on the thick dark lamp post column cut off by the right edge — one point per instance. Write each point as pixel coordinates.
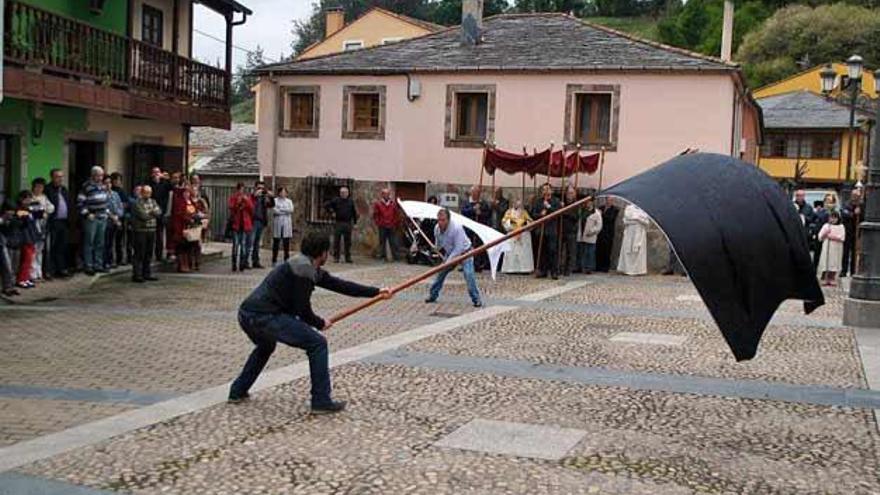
(862, 307)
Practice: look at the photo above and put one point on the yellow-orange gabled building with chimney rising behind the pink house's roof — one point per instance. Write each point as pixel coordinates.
(376, 27)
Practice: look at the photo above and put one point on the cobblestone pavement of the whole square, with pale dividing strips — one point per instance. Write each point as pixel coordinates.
(180, 336)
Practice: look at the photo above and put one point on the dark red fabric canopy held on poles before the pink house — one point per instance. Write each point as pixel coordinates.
(538, 163)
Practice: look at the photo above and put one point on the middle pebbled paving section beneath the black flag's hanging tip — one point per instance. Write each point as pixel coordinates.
(799, 355)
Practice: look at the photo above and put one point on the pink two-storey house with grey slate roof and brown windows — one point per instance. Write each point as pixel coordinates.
(415, 114)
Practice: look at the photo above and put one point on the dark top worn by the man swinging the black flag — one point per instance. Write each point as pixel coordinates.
(288, 289)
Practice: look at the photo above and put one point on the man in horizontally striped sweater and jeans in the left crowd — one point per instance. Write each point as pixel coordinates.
(92, 202)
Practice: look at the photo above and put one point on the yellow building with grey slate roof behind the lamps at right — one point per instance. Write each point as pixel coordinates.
(807, 135)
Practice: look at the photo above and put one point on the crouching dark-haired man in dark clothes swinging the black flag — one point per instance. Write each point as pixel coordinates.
(280, 310)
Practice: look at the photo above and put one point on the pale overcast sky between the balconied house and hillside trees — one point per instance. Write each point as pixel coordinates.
(269, 28)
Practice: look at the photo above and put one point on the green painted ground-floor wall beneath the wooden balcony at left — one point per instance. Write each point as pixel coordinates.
(47, 151)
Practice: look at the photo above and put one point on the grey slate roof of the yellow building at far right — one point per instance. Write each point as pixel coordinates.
(805, 110)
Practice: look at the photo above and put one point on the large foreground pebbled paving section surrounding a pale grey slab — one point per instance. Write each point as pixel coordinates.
(636, 442)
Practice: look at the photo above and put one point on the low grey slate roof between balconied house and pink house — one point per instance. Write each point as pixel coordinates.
(232, 152)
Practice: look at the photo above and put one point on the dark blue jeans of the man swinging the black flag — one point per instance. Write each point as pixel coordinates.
(265, 330)
